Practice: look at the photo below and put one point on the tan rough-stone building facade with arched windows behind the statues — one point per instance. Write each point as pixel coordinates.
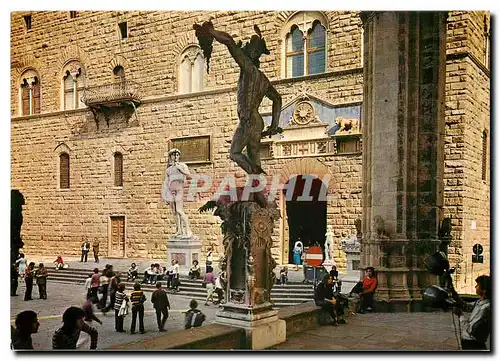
(154, 57)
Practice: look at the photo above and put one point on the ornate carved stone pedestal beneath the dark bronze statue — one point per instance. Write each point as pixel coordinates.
(250, 276)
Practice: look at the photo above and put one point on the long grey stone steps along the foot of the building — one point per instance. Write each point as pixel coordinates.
(281, 295)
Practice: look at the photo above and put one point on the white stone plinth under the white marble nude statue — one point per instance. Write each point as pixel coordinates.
(184, 250)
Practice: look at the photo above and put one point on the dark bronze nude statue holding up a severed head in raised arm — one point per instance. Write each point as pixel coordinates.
(253, 86)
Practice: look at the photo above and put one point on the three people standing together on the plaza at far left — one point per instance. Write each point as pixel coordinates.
(28, 273)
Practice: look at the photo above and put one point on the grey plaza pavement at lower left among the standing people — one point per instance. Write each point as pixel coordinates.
(62, 296)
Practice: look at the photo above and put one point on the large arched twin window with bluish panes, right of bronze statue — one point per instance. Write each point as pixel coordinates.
(305, 45)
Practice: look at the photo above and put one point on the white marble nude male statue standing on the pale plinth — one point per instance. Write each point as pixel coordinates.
(173, 192)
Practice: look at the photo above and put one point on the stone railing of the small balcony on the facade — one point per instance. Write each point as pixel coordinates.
(115, 93)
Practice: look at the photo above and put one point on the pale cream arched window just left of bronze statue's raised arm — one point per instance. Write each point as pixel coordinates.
(191, 70)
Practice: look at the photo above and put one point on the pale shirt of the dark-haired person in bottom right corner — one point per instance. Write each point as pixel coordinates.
(477, 326)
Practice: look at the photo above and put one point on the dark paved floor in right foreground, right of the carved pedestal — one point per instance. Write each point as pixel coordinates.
(381, 332)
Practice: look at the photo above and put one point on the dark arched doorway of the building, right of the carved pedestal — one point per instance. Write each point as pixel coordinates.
(306, 219)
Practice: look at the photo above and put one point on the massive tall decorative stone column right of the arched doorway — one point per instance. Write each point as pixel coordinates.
(403, 107)
